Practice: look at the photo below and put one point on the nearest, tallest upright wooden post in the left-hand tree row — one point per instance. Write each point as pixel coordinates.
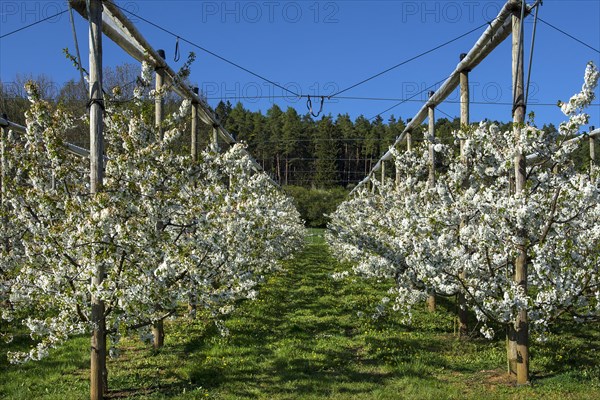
(98, 319)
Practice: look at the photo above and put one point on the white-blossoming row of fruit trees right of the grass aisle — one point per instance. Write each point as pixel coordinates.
(461, 232)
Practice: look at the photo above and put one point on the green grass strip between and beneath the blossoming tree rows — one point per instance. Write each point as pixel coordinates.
(303, 339)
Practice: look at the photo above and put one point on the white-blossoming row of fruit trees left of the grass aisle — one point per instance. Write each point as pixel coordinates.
(165, 229)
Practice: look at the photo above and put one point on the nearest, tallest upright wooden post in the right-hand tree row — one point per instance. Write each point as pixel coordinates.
(520, 337)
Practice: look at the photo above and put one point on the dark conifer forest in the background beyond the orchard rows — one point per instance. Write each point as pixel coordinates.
(295, 149)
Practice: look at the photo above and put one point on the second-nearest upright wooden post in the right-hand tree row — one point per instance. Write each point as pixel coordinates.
(463, 327)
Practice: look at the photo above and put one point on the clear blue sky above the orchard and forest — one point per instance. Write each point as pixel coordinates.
(321, 47)
